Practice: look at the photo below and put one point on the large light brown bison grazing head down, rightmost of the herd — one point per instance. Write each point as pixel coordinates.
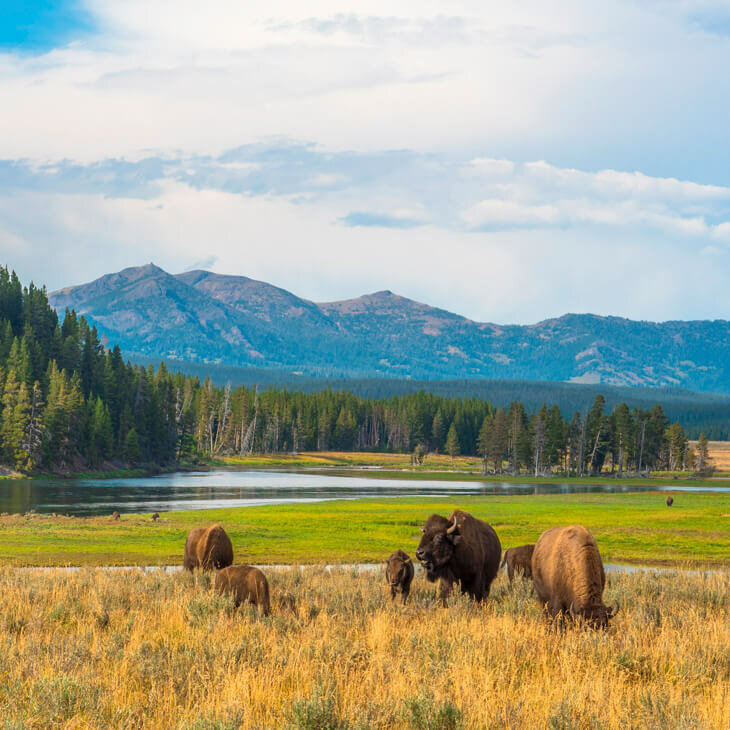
(568, 575)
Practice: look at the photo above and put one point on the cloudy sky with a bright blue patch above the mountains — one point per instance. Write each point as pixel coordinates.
(506, 161)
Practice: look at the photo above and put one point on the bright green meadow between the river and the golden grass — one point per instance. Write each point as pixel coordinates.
(630, 528)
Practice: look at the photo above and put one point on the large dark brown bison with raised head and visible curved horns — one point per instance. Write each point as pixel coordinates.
(460, 549)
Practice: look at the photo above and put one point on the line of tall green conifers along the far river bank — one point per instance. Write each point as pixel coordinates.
(70, 402)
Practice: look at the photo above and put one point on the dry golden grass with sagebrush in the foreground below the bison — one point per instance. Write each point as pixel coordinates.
(127, 649)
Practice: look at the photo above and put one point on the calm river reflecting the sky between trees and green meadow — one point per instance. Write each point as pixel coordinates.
(201, 490)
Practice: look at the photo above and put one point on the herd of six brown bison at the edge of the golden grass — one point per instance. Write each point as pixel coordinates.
(565, 566)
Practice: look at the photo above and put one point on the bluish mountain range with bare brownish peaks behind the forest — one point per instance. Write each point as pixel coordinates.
(204, 317)
